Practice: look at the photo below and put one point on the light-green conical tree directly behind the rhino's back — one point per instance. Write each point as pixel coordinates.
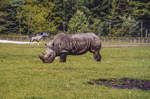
(78, 23)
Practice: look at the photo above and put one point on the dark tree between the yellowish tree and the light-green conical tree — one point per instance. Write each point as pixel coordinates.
(65, 9)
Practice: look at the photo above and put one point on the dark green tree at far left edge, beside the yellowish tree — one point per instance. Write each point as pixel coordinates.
(8, 20)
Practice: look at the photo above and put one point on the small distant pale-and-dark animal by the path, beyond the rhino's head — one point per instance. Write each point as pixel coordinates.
(38, 36)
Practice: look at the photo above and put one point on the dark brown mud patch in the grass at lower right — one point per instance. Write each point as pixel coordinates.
(124, 83)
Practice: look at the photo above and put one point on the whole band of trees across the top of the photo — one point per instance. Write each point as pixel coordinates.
(103, 17)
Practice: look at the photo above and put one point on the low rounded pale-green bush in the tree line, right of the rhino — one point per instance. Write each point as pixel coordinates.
(124, 26)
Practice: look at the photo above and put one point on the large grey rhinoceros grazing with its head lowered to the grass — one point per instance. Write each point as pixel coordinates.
(72, 44)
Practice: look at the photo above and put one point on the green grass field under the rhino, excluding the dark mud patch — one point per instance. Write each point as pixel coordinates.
(24, 76)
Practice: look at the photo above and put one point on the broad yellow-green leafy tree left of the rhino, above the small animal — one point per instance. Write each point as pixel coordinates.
(38, 16)
